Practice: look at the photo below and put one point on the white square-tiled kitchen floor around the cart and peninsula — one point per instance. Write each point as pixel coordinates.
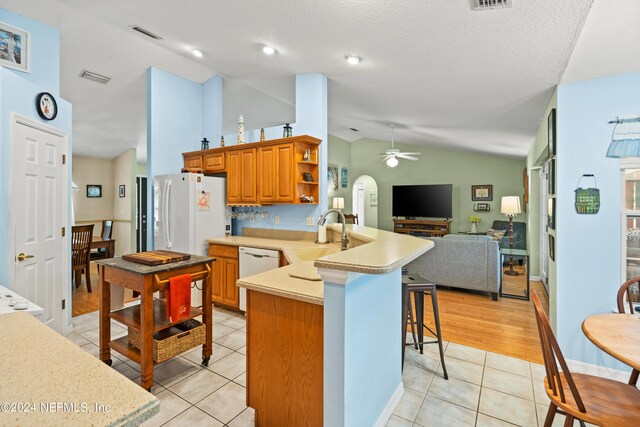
(484, 388)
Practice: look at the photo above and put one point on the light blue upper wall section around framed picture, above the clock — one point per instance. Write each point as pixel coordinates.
(45, 52)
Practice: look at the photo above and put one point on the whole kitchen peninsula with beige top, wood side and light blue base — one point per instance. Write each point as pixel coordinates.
(323, 335)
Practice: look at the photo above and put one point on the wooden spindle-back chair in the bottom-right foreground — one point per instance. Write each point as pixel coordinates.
(587, 398)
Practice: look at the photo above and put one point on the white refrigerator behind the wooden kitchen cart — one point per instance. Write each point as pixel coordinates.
(188, 209)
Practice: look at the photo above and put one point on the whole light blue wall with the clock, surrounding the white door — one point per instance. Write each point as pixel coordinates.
(18, 92)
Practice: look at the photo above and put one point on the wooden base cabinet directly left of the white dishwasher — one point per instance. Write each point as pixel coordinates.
(225, 275)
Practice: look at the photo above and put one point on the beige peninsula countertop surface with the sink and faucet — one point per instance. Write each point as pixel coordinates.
(372, 251)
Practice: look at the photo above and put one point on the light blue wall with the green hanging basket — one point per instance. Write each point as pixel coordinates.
(588, 258)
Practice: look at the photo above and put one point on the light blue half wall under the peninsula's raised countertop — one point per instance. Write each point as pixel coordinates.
(362, 353)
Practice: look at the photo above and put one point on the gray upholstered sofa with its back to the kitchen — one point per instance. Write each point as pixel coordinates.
(461, 261)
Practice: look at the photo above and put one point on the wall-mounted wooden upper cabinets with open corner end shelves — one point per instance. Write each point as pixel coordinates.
(280, 171)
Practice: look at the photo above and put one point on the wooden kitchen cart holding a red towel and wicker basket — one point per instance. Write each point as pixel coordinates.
(149, 316)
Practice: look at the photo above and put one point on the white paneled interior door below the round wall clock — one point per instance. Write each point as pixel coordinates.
(39, 200)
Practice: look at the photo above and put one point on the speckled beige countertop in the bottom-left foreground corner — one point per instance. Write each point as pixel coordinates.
(52, 381)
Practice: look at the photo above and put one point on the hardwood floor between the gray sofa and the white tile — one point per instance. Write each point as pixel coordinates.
(507, 326)
